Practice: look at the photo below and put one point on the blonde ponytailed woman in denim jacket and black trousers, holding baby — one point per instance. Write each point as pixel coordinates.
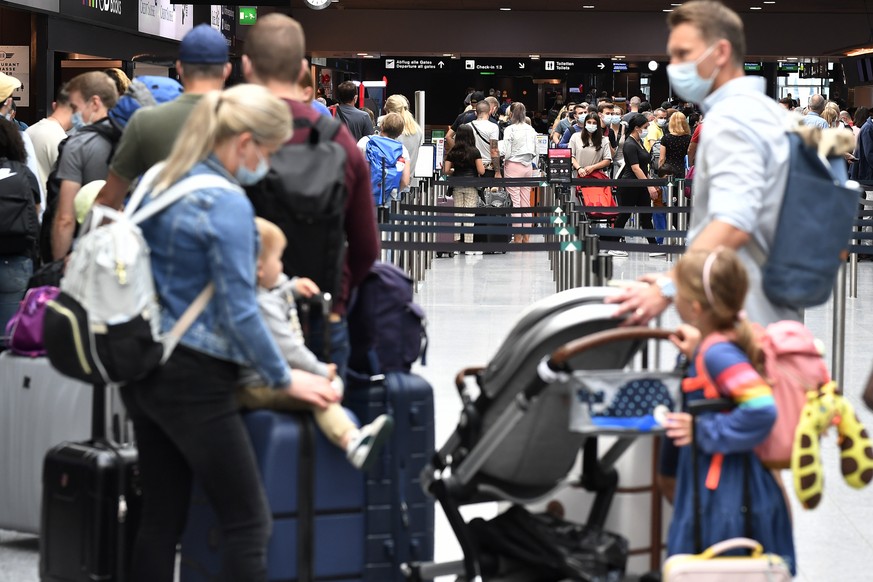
(185, 412)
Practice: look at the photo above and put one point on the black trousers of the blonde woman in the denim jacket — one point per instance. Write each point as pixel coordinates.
(188, 426)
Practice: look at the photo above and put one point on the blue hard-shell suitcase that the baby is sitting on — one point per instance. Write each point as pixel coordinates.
(316, 498)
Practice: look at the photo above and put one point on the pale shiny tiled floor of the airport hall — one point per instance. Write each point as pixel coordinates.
(472, 301)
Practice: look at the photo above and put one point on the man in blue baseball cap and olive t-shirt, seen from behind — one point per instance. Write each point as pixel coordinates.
(149, 136)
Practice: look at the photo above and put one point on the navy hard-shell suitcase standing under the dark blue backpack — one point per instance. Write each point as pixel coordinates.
(399, 515)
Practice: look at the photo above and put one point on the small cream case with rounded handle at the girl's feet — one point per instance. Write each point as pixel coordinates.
(711, 566)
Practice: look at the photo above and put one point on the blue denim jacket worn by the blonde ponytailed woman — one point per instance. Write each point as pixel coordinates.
(210, 236)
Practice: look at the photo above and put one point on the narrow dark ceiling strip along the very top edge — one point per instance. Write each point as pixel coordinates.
(741, 6)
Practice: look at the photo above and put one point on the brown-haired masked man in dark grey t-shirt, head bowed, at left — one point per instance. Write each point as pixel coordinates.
(85, 156)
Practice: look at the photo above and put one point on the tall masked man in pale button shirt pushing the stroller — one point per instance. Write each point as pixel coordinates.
(742, 162)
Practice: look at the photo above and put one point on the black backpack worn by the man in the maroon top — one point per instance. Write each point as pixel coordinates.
(305, 195)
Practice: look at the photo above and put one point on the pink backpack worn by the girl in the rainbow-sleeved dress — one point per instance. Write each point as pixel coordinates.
(793, 365)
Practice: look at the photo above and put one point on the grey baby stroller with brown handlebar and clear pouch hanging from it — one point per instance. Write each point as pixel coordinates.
(513, 442)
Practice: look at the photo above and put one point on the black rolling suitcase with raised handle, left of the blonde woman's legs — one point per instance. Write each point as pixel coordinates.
(91, 506)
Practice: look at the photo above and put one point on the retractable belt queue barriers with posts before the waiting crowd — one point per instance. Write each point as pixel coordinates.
(411, 230)
